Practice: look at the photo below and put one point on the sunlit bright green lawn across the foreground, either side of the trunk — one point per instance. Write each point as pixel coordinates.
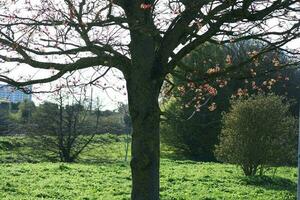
(179, 179)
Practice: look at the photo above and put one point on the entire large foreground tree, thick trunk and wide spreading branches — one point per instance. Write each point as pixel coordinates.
(144, 39)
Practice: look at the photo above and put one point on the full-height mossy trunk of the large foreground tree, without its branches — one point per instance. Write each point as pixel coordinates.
(144, 79)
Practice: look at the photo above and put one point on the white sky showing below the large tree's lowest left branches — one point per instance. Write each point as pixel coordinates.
(111, 89)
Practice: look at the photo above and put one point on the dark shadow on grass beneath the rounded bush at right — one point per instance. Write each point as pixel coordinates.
(271, 183)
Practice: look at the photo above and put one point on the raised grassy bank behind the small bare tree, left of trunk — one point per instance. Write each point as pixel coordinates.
(104, 148)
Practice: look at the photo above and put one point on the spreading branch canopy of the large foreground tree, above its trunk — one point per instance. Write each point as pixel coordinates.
(64, 36)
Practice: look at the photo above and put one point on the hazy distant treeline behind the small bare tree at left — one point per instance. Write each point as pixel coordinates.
(110, 121)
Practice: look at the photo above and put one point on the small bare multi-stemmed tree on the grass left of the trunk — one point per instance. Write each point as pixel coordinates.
(63, 129)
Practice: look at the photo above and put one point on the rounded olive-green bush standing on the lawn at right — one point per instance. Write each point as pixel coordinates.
(257, 132)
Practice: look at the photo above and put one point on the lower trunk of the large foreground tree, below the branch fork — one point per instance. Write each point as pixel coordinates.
(143, 94)
